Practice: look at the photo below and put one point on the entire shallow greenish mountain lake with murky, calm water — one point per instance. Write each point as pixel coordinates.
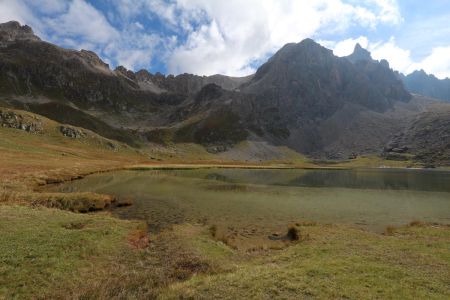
(264, 201)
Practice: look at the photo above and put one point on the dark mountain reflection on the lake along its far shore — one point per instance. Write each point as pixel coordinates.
(397, 179)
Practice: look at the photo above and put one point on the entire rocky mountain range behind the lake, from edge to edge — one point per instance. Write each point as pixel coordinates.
(303, 98)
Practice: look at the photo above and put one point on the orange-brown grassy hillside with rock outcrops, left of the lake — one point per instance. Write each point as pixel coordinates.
(36, 149)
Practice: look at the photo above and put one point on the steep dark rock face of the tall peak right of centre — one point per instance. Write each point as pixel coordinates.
(303, 88)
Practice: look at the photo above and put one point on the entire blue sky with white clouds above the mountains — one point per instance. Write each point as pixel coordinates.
(234, 37)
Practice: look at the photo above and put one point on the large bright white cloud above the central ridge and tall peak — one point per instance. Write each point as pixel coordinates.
(240, 32)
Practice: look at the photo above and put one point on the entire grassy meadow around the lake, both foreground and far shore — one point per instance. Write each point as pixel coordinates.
(49, 250)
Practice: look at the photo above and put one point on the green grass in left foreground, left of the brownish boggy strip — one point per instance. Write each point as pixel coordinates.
(47, 252)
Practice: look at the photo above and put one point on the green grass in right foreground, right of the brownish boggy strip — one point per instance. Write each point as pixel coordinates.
(337, 262)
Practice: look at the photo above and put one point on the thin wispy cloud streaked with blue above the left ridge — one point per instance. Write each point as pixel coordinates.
(78, 24)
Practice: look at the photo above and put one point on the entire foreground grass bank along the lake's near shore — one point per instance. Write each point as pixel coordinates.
(47, 253)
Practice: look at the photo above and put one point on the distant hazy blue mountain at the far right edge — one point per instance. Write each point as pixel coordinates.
(419, 82)
